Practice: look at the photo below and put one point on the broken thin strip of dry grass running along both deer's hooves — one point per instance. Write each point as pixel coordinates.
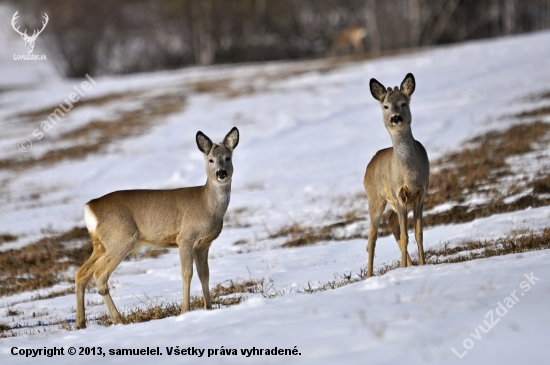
(233, 292)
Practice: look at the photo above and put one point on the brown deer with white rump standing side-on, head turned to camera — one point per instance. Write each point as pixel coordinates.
(189, 218)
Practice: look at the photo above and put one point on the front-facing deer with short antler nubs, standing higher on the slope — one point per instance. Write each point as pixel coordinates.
(398, 175)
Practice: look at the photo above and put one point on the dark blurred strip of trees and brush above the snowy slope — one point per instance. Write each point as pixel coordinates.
(125, 36)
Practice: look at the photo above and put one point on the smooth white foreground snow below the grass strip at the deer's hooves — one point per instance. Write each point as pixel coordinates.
(416, 315)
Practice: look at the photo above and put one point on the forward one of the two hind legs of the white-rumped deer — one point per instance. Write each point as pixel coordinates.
(104, 267)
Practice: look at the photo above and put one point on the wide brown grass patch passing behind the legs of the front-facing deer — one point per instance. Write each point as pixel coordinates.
(476, 170)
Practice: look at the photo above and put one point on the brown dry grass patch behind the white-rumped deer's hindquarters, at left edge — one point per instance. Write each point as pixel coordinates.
(44, 263)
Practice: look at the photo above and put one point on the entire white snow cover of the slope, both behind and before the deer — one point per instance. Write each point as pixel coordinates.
(305, 140)
